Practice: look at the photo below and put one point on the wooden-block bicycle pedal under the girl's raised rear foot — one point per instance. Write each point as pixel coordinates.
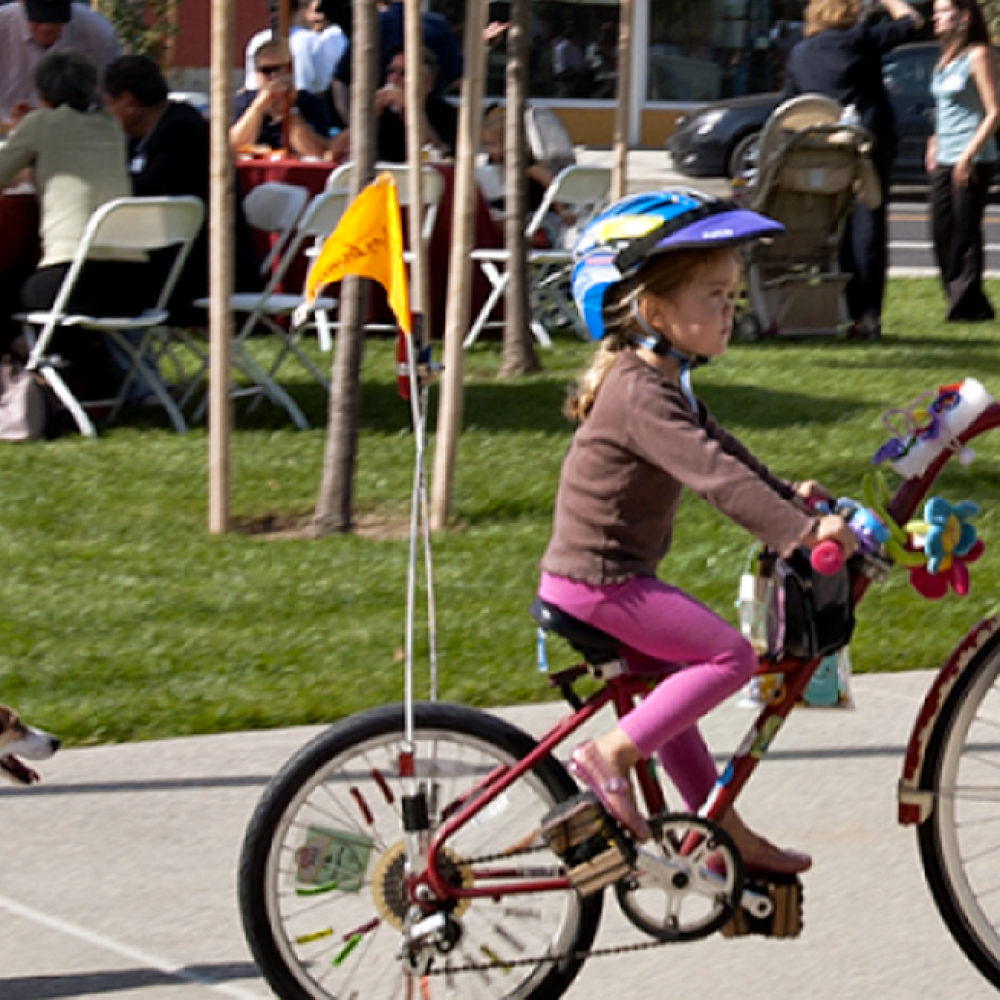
(582, 834)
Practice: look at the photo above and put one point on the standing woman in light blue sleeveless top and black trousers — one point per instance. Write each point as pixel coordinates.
(961, 155)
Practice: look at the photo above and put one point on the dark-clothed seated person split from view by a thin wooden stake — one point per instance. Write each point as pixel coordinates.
(440, 119)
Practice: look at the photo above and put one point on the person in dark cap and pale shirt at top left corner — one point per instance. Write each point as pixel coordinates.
(29, 29)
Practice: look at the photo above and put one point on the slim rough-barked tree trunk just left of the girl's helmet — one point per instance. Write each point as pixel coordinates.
(518, 344)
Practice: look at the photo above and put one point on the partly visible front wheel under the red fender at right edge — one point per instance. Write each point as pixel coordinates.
(959, 848)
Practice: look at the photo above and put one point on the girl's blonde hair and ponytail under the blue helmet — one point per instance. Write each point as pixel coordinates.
(663, 276)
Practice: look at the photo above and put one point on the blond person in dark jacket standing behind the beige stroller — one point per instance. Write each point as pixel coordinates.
(841, 57)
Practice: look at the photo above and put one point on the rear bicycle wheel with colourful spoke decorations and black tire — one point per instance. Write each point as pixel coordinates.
(296, 940)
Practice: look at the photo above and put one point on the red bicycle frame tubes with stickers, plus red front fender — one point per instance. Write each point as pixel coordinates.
(621, 692)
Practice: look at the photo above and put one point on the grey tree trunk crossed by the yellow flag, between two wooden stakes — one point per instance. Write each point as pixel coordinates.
(335, 504)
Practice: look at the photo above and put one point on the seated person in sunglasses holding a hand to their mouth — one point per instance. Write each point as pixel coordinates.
(259, 114)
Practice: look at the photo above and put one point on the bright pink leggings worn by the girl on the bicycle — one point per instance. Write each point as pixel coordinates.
(665, 631)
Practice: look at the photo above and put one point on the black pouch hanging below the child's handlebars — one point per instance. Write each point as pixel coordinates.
(816, 611)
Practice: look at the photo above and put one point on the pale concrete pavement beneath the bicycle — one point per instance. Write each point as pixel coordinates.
(119, 872)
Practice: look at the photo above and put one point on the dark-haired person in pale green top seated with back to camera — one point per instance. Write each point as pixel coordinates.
(79, 159)
